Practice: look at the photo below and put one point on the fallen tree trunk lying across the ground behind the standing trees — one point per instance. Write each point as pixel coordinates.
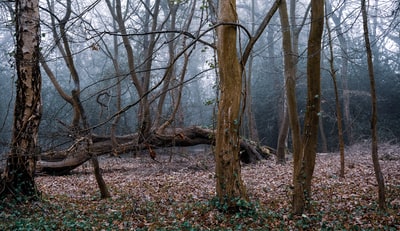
(63, 161)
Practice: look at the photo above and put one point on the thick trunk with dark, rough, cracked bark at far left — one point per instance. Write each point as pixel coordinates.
(18, 177)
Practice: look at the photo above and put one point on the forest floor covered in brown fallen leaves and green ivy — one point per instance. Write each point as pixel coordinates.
(177, 193)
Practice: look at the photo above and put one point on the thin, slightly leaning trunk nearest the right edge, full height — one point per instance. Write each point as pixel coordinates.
(375, 159)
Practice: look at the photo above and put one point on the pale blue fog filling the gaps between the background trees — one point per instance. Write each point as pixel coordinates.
(91, 32)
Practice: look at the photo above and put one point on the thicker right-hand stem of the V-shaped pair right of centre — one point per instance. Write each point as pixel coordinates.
(305, 161)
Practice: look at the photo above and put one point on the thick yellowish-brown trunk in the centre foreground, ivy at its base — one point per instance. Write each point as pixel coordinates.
(229, 187)
